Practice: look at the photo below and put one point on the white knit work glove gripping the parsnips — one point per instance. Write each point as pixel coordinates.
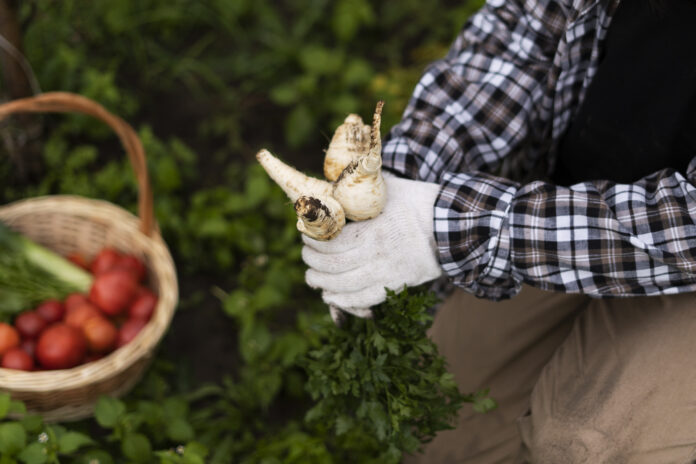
(394, 249)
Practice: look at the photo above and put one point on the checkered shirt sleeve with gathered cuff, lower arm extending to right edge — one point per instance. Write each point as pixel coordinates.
(596, 238)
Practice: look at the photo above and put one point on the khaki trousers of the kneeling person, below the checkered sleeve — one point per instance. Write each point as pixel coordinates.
(578, 380)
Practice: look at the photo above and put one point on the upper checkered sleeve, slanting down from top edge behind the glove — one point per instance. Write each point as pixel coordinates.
(476, 106)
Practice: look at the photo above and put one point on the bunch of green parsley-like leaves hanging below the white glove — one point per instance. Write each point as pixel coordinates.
(383, 378)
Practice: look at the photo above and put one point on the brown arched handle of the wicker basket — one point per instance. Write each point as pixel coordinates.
(65, 102)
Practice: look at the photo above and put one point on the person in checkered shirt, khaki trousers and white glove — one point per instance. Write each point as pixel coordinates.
(548, 157)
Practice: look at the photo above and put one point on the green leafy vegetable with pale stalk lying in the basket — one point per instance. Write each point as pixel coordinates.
(30, 273)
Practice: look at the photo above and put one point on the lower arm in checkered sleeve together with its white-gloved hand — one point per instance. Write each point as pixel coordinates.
(492, 234)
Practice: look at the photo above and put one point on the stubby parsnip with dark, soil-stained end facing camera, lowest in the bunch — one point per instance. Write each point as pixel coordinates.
(320, 218)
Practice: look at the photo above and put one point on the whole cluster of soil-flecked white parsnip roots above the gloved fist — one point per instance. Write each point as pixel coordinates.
(353, 164)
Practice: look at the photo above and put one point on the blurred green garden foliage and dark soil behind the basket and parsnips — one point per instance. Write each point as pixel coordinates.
(206, 84)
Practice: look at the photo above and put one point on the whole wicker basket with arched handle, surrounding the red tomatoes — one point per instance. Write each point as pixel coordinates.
(67, 223)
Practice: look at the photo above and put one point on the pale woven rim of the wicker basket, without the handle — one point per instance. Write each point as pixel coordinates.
(120, 359)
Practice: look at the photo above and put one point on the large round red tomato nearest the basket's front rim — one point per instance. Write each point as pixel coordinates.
(61, 347)
